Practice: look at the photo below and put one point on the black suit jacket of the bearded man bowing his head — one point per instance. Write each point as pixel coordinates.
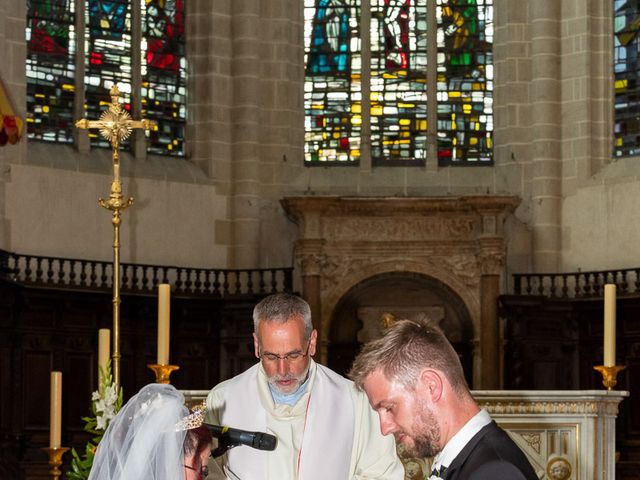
(490, 455)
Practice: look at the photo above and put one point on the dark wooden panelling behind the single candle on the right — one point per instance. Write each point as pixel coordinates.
(578, 344)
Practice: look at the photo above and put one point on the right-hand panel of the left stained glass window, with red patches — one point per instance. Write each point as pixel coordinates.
(164, 74)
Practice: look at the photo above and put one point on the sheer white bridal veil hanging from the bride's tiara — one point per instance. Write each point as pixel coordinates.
(141, 442)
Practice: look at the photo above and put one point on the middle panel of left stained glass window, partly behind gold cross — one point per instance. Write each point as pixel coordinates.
(108, 58)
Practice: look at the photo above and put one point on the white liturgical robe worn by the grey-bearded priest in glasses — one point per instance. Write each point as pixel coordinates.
(331, 432)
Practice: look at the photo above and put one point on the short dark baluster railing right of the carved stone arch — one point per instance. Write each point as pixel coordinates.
(576, 284)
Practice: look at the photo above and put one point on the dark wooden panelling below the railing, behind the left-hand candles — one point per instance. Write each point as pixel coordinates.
(42, 330)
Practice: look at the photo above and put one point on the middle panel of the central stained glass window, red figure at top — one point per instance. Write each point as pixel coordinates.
(398, 80)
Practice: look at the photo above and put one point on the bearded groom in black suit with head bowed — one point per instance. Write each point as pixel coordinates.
(414, 380)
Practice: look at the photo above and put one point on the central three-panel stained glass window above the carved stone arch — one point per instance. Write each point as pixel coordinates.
(395, 69)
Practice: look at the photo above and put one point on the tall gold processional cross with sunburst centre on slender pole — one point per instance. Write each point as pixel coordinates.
(115, 125)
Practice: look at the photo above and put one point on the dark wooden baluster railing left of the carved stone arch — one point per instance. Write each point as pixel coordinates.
(54, 272)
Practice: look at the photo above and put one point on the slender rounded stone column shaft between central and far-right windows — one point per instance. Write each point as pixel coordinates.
(546, 129)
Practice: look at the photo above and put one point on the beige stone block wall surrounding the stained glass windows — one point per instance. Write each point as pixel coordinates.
(553, 142)
